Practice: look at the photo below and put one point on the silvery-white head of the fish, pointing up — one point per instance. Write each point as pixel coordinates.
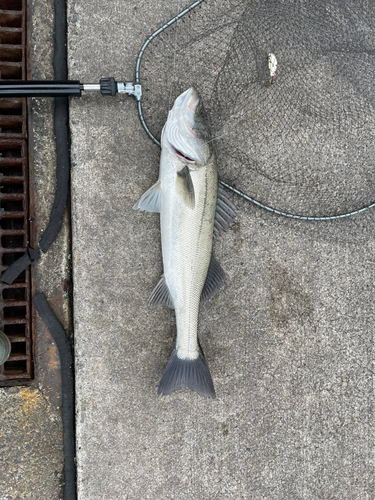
(186, 133)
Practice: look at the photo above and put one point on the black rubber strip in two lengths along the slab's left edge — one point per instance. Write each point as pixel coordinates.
(61, 121)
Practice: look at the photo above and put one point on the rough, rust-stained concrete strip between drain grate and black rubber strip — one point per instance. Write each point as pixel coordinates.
(31, 451)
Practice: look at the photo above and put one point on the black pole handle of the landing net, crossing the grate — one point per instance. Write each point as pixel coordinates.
(19, 88)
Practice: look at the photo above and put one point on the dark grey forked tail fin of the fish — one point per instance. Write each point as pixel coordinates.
(191, 373)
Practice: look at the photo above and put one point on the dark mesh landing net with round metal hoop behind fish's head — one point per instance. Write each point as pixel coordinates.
(303, 143)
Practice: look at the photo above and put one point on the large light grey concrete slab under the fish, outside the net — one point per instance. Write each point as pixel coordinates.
(289, 339)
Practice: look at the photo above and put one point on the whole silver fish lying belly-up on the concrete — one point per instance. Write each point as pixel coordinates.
(192, 210)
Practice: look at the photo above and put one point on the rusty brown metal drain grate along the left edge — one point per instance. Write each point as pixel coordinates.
(15, 300)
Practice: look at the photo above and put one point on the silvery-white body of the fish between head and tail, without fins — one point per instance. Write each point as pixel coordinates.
(186, 236)
